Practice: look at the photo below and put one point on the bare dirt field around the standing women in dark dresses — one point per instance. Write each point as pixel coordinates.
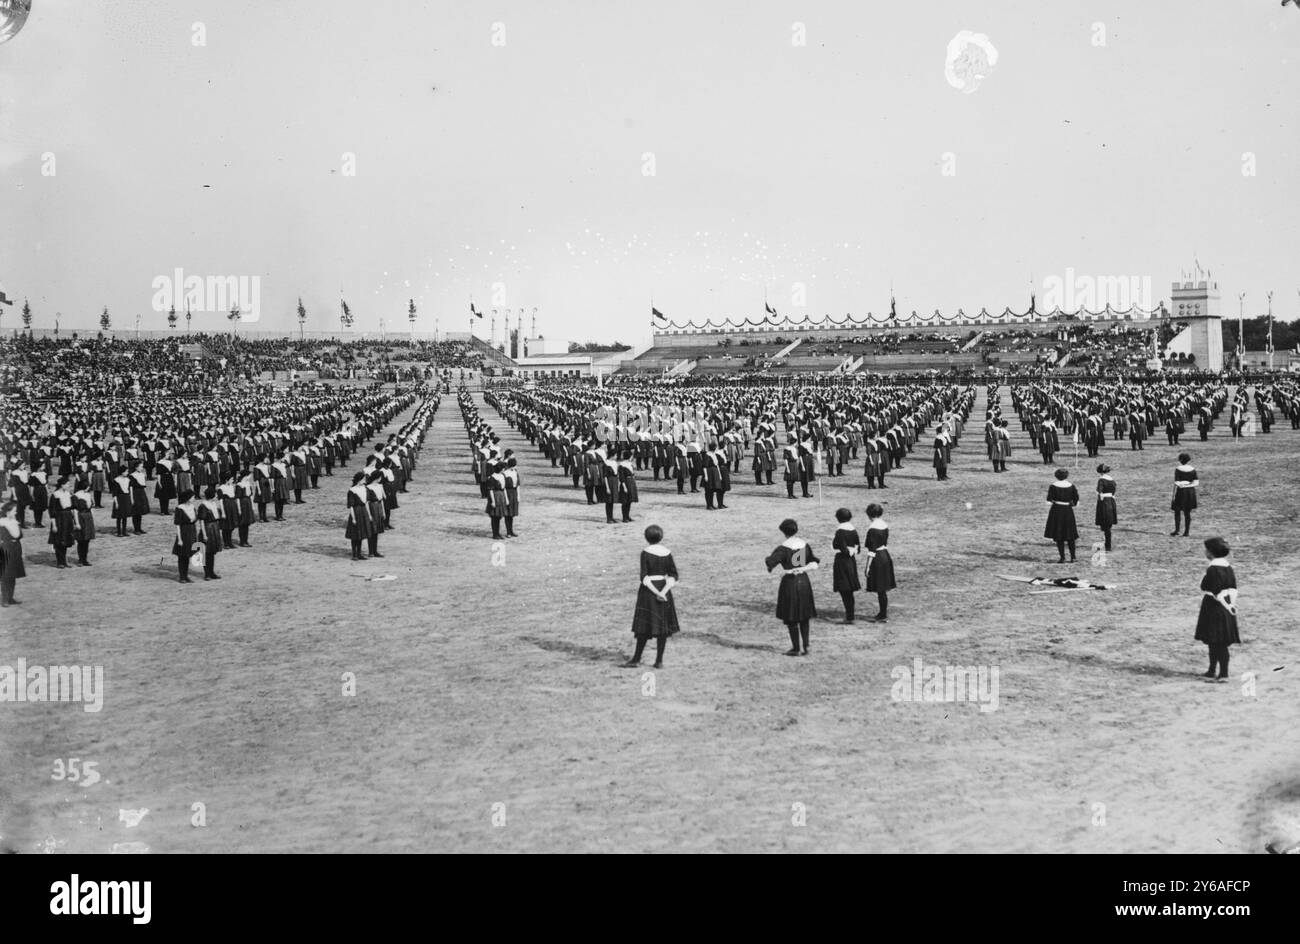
(492, 715)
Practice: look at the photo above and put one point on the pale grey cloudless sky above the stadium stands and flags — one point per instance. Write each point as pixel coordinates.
(586, 158)
